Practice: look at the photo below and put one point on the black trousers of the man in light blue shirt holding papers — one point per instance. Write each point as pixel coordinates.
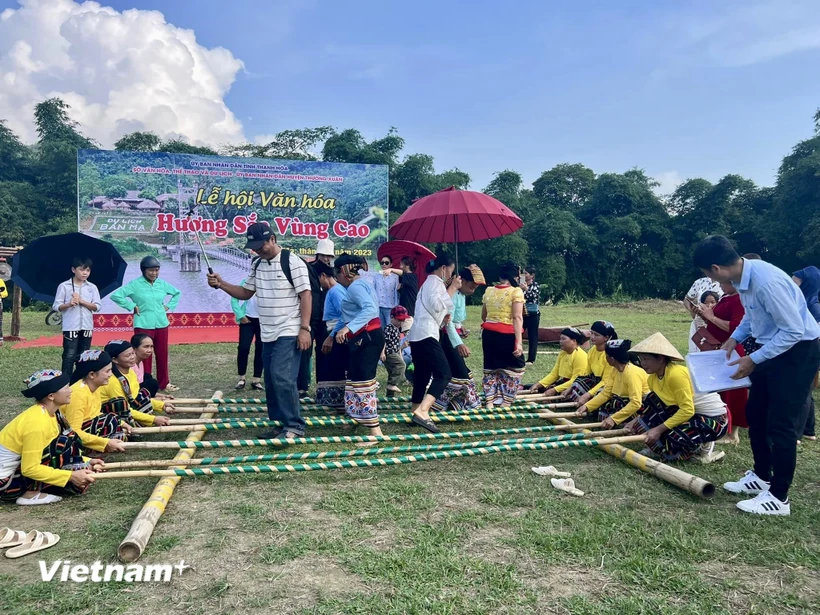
(777, 409)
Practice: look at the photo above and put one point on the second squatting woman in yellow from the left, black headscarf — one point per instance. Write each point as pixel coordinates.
(84, 412)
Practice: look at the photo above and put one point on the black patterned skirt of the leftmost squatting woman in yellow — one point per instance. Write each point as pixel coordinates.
(65, 452)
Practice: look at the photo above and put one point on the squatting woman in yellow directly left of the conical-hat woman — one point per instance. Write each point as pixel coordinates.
(623, 394)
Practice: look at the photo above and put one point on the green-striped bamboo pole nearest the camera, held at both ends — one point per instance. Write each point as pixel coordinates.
(368, 463)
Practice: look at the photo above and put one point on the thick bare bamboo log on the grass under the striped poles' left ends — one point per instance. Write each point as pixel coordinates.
(134, 543)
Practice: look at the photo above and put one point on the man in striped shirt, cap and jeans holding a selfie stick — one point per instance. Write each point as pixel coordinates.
(284, 318)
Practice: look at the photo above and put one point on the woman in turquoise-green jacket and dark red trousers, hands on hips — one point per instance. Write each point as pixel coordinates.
(145, 297)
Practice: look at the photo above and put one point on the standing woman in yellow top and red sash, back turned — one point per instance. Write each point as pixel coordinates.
(502, 314)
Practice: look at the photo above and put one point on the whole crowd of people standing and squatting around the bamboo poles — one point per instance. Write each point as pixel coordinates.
(354, 319)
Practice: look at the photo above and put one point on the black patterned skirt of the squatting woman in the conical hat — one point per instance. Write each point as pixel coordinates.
(682, 442)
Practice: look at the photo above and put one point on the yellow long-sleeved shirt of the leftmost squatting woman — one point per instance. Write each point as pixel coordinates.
(23, 441)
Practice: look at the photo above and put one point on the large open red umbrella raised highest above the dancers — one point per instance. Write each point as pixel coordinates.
(455, 216)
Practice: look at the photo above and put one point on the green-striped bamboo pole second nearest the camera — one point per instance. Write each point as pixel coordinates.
(365, 452)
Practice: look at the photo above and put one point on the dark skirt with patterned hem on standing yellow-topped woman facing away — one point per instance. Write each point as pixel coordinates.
(502, 370)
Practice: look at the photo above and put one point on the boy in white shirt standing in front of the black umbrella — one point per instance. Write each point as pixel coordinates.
(77, 299)
